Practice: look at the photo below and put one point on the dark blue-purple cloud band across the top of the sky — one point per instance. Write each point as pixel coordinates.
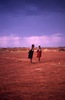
(32, 6)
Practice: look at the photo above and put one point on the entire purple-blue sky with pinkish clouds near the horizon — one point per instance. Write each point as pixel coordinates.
(23, 22)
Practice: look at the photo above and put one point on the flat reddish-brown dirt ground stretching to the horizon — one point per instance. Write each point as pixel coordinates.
(21, 80)
